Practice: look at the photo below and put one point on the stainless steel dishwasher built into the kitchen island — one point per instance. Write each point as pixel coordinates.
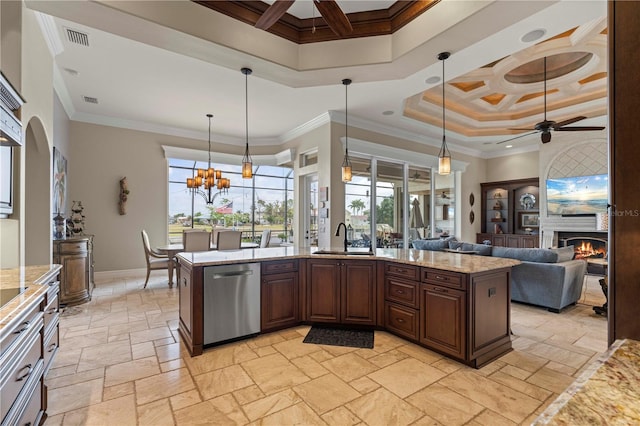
(231, 302)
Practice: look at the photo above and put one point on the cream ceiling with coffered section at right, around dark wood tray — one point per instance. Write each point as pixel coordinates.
(161, 66)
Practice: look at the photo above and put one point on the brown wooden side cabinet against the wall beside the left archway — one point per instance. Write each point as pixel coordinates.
(76, 279)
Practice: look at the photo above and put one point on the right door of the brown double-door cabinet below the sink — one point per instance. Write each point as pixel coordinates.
(358, 302)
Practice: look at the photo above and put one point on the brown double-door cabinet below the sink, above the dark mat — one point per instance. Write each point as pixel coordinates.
(341, 291)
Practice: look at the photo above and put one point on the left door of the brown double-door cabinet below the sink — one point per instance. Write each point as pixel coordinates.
(323, 290)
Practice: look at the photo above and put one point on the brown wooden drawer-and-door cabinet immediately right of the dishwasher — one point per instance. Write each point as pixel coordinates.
(279, 295)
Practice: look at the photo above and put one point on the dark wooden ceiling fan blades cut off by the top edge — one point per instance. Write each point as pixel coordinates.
(329, 9)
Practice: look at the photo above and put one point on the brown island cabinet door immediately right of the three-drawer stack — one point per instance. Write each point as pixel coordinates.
(443, 319)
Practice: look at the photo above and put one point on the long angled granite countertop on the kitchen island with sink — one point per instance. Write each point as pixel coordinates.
(455, 262)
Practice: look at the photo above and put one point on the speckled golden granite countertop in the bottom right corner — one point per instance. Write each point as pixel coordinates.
(607, 392)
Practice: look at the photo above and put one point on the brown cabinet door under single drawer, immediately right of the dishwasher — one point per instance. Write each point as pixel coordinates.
(279, 301)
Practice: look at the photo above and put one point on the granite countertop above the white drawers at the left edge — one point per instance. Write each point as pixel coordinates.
(33, 278)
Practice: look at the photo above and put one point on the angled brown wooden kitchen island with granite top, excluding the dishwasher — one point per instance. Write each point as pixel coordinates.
(455, 304)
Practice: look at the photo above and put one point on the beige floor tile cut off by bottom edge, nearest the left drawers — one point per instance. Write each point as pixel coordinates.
(120, 411)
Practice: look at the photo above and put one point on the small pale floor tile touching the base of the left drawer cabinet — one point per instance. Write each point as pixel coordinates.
(74, 396)
